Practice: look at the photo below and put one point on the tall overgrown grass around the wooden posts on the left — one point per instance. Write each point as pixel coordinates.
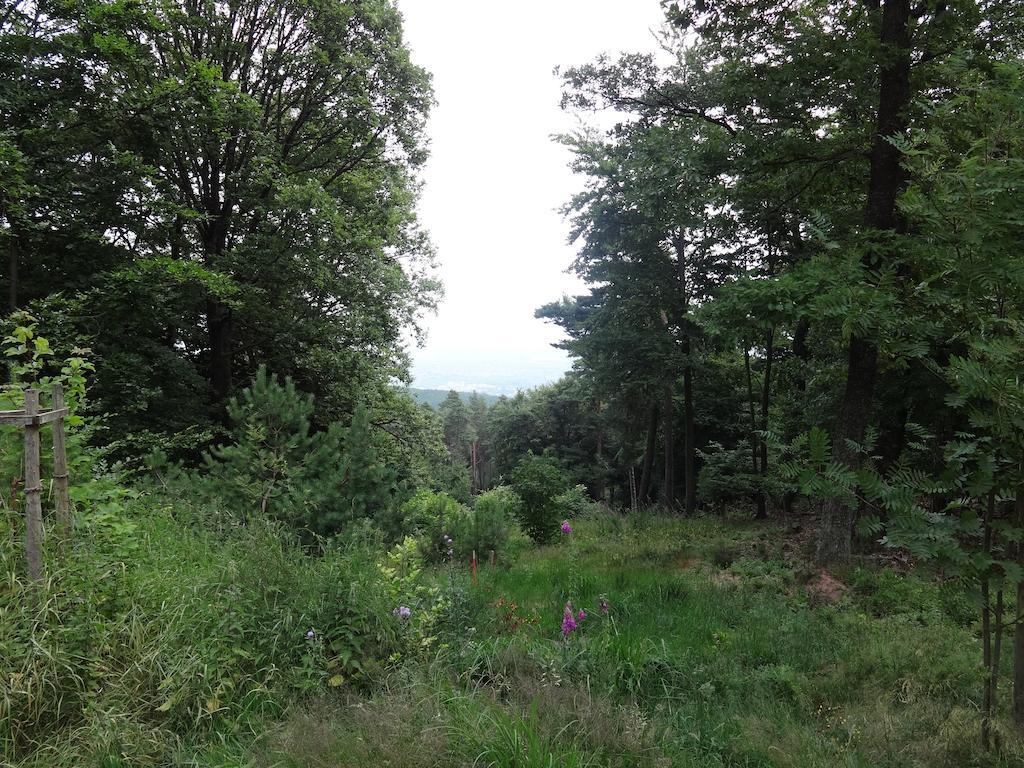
(154, 634)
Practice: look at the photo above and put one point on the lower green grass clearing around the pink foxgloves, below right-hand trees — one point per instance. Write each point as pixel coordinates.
(713, 655)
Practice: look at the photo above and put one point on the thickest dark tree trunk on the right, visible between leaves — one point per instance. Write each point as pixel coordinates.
(885, 183)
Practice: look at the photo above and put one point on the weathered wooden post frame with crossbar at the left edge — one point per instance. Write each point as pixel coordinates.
(31, 418)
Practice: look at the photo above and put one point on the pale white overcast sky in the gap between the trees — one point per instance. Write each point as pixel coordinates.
(496, 181)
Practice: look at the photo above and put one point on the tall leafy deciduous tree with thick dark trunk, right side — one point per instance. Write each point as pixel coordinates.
(804, 102)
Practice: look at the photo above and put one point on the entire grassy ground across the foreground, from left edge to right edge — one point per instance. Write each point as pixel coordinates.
(163, 644)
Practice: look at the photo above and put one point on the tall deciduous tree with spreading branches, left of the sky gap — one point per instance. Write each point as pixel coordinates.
(281, 138)
